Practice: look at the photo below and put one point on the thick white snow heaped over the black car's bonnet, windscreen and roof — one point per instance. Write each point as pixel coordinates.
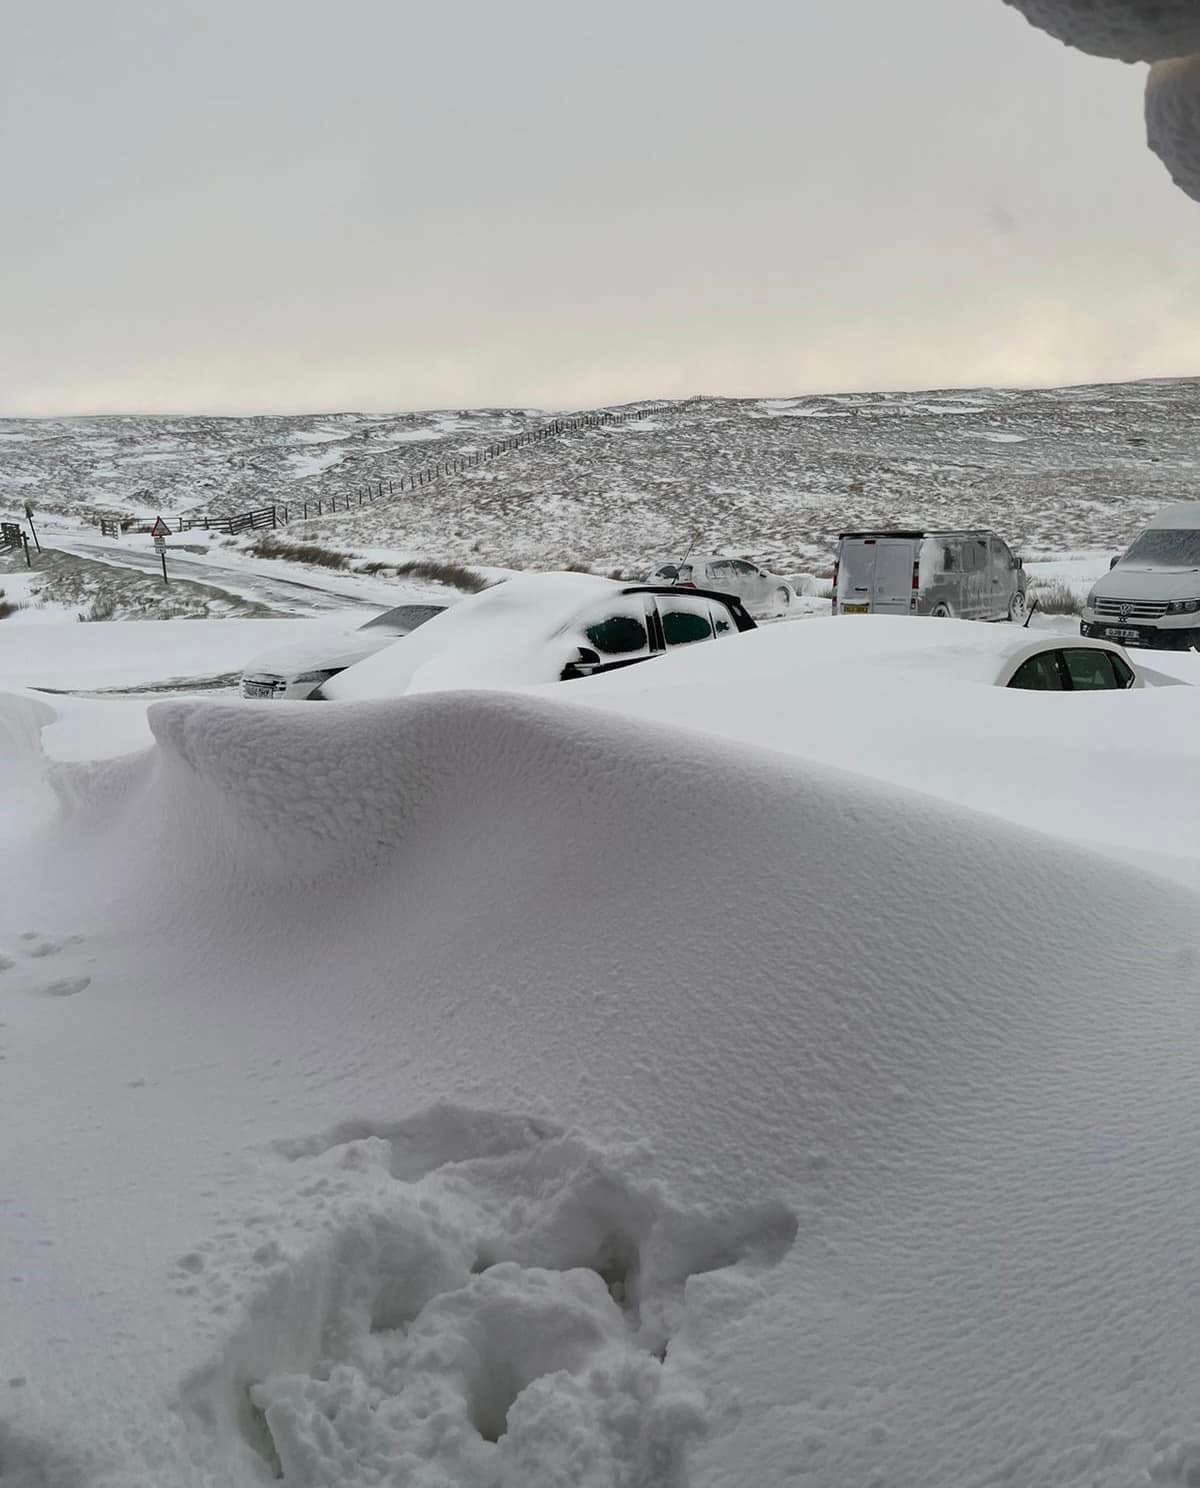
(500, 638)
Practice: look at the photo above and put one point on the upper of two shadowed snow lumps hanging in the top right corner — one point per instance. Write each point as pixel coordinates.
(1126, 31)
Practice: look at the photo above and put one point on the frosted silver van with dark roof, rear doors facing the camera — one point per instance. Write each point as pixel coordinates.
(970, 575)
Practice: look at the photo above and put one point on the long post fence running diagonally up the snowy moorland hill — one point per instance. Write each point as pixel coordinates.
(279, 516)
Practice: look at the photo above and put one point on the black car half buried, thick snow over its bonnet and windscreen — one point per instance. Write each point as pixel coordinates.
(546, 627)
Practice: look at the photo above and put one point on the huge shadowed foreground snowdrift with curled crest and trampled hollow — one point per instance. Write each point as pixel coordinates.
(491, 1091)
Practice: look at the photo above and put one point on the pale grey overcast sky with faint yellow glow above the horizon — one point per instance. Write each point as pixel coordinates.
(249, 206)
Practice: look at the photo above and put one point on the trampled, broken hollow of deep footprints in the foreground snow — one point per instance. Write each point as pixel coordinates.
(489, 1271)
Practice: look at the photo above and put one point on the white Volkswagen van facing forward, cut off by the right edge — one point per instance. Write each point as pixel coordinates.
(1152, 593)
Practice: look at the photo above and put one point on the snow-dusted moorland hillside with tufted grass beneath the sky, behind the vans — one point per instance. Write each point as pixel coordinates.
(1052, 471)
